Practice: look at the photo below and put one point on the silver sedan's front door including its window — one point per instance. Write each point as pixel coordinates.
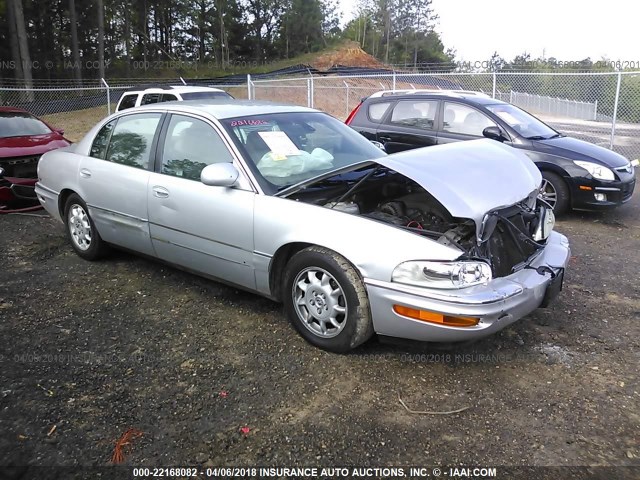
(205, 229)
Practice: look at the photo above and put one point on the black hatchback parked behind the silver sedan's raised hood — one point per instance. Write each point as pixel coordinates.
(576, 174)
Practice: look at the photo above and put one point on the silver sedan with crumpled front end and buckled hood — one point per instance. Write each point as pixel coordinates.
(441, 244)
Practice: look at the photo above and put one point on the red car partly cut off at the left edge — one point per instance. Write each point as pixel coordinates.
(23, 139)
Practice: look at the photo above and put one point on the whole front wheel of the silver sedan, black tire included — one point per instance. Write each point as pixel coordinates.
(325, 300)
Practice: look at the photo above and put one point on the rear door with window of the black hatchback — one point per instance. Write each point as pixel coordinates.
(409, 124)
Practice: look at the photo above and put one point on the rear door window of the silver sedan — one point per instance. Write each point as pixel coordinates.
(132, 138)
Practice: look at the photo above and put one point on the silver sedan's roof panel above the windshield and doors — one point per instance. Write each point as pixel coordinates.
(225, 108)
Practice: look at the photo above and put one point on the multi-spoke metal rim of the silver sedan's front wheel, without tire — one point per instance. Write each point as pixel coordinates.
(320, 302)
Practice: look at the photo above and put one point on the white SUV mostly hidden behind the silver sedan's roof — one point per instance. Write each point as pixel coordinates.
(167, 93)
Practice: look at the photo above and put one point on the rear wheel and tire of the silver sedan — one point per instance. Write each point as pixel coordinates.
(81, 231)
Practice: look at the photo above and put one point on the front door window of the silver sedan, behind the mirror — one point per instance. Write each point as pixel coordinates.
(191, 145)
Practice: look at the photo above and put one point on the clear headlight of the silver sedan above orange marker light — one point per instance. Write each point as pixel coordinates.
(446, 275)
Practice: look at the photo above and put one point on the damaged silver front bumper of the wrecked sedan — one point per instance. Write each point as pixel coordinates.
(498, 304)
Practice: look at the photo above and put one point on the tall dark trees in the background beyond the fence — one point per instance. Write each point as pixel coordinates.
(50, 39)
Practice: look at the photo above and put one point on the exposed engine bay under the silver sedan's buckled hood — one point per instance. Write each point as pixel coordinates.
(507, 240)
